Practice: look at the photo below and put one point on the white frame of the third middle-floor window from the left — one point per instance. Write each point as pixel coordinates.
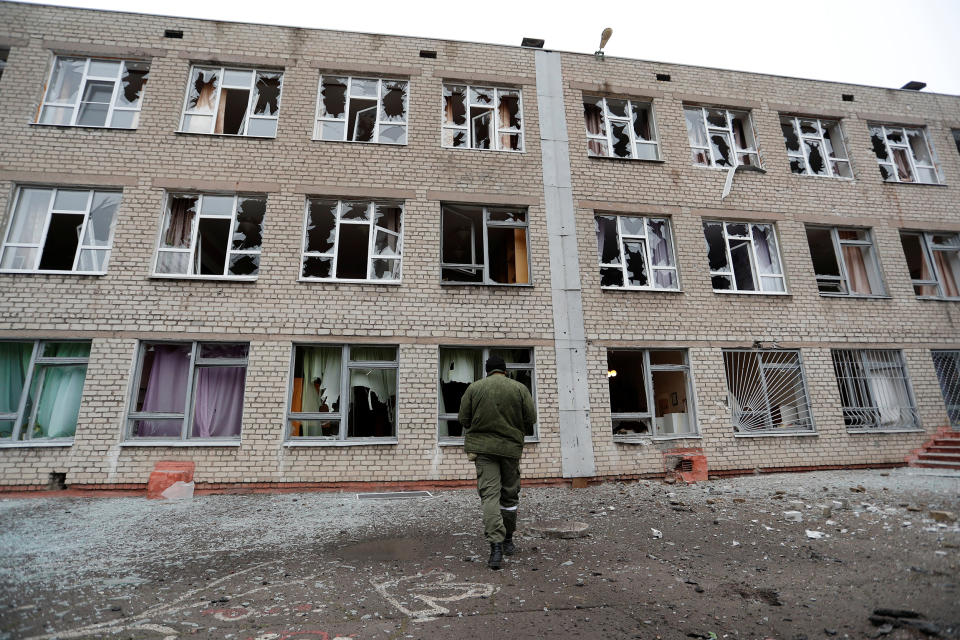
(371, 241)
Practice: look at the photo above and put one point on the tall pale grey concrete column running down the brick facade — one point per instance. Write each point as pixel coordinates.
(576, 443)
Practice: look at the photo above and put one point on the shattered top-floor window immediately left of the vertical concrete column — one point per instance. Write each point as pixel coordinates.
(482, 118)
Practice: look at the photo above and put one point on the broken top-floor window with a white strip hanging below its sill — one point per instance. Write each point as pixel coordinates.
(720, 137)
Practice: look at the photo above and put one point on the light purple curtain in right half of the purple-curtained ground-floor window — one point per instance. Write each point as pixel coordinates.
(218, 408)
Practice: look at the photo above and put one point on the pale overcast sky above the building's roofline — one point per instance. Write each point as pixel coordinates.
(876, 42)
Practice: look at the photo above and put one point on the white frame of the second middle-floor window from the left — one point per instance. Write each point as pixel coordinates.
(191, 251)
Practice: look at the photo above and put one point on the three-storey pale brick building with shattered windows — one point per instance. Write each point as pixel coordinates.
(282, 254)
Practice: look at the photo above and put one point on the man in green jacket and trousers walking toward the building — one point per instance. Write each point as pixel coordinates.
(495, 412)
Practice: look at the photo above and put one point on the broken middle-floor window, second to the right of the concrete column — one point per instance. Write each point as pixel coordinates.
(744, 257)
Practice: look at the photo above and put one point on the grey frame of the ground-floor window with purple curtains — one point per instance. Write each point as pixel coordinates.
(189, 408)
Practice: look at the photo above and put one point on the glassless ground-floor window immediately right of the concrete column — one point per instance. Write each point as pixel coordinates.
(650, 393)
